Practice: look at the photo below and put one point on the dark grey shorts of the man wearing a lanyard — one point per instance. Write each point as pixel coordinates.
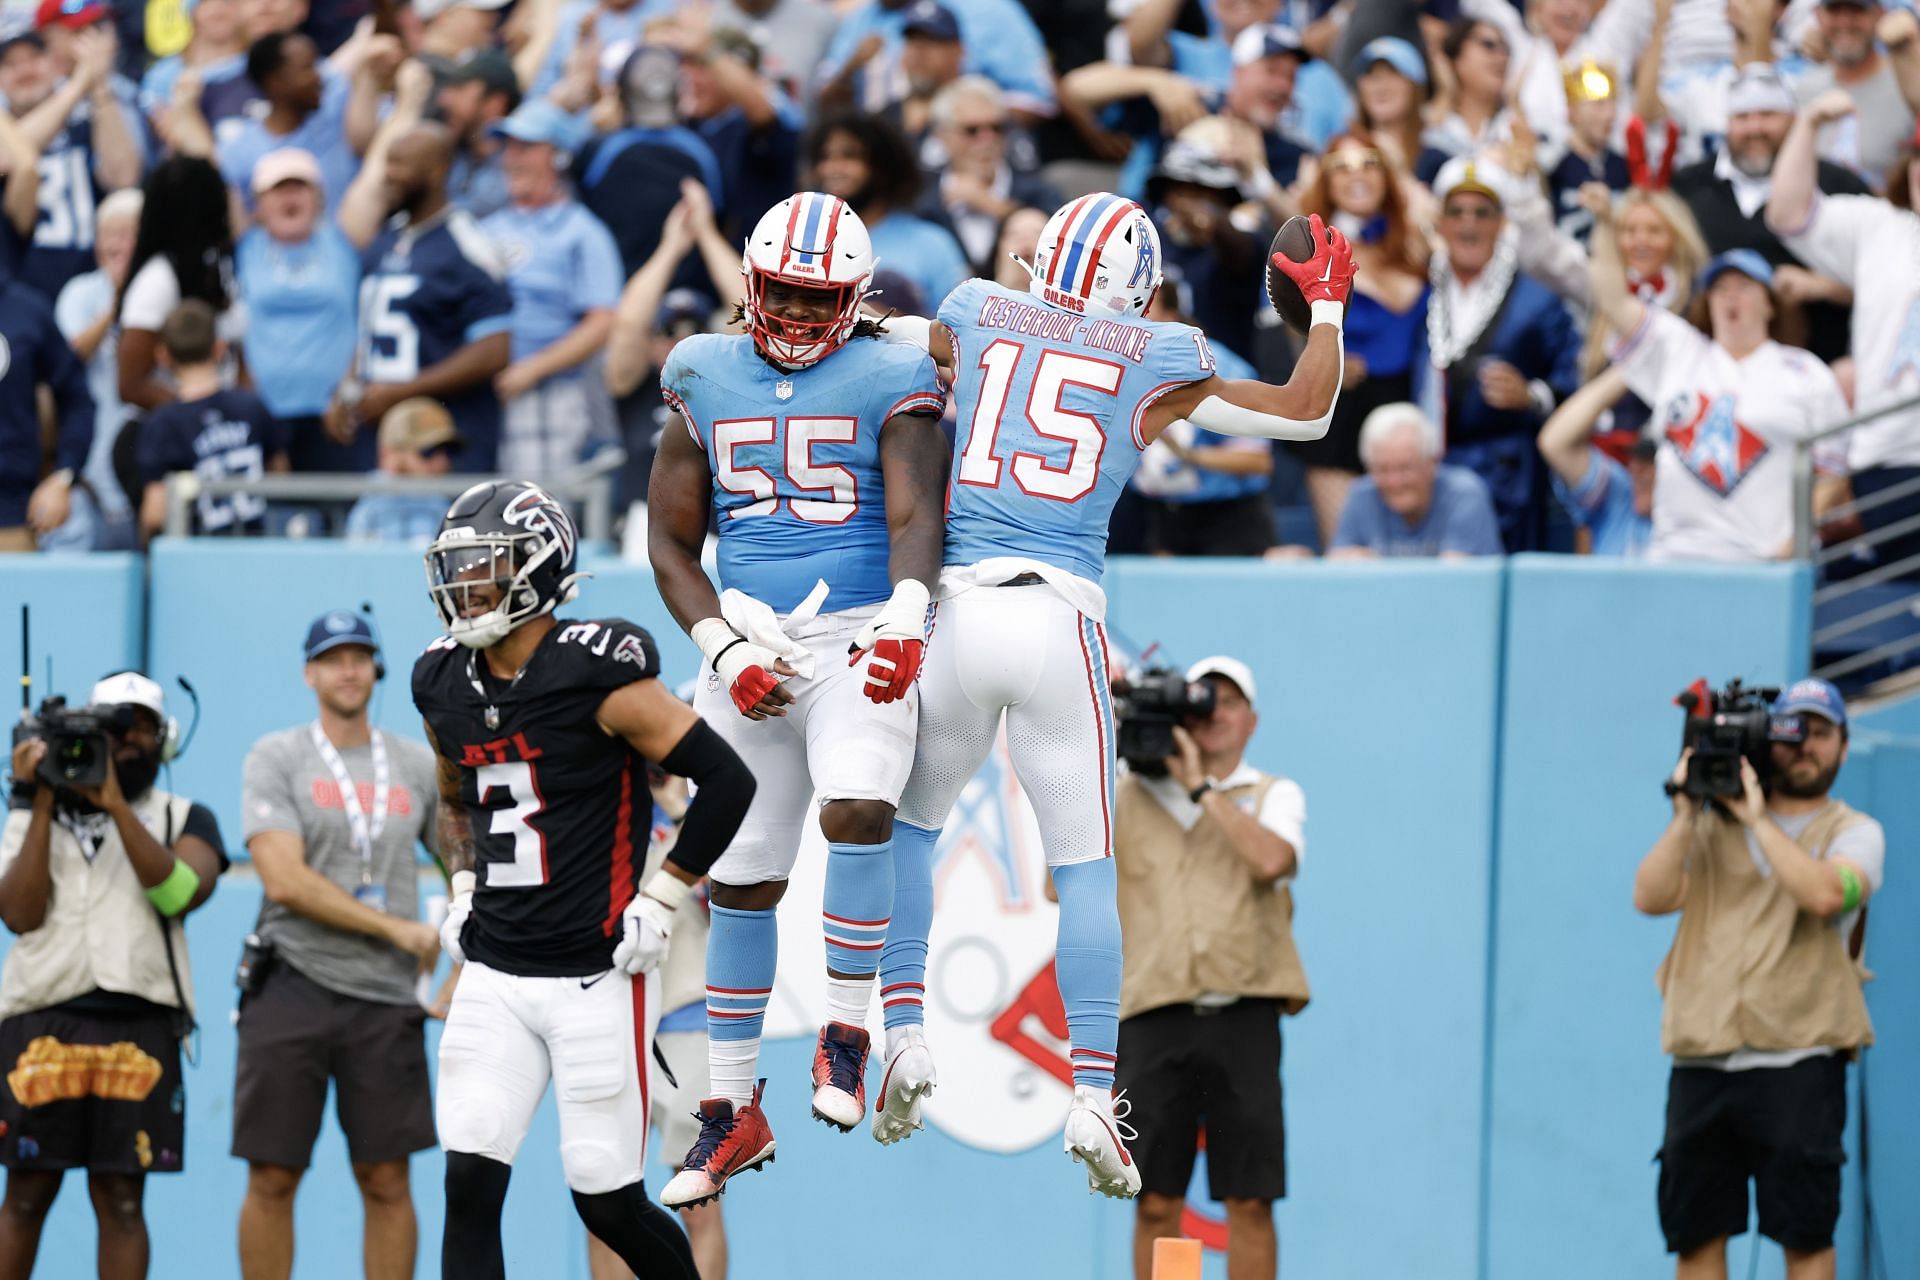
(297, 1035)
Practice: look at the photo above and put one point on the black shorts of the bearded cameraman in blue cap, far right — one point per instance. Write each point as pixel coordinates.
(1779, 1127)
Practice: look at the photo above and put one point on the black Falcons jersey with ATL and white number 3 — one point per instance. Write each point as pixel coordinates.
(560, 807)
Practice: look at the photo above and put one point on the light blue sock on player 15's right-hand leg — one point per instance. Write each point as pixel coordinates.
(1088, 968)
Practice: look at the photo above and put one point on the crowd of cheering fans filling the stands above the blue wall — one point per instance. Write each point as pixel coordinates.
(1604, 285)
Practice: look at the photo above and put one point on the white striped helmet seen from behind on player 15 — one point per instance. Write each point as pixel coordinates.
(1101, 256)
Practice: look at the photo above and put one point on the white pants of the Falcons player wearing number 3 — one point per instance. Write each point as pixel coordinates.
(594, 1037)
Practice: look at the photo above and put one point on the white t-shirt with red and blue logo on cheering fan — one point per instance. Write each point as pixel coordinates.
(1727, 427)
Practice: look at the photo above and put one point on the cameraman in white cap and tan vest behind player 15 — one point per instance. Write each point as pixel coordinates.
(1205, 855)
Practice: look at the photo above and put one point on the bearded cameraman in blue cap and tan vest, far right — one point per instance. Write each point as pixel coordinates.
(1762, 989)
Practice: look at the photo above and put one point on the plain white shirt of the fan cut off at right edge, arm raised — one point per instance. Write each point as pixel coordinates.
(1875, 249)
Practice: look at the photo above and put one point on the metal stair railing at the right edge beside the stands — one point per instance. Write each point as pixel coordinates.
(1904, 575)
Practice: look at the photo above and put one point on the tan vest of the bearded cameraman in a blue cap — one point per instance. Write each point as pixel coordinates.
(1748, 966)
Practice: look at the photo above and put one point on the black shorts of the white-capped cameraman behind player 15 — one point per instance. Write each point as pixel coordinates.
(1207, 1076)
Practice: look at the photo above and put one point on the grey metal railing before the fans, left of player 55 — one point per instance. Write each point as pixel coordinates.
(588, 488)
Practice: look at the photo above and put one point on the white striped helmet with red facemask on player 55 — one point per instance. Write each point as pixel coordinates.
(817, 243)
